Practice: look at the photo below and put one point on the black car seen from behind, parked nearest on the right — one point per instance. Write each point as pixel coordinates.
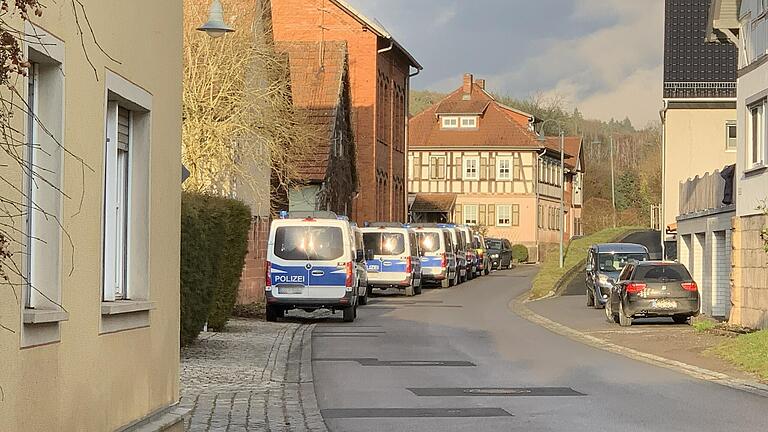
(653, 289)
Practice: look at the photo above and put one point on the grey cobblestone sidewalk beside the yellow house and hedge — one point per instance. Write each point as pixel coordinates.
(257, 376)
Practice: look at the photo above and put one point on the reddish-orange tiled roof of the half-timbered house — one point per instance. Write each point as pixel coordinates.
(498, 125)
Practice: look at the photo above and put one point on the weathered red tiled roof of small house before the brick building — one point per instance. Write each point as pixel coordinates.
(316, 87)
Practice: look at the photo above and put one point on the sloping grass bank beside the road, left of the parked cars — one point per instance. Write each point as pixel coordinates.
(550, 272)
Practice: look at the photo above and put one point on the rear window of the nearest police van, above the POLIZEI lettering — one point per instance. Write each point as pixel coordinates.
(309, 243)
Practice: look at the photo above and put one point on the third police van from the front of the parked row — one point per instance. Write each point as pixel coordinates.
(438, 261)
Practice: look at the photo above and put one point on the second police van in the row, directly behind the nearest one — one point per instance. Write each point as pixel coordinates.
(394, 258)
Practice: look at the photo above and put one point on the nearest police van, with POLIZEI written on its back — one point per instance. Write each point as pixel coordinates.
(311, 264)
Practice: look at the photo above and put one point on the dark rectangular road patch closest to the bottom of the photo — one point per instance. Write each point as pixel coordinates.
(412, 412)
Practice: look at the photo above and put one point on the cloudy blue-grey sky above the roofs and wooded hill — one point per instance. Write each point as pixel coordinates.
(603, 56)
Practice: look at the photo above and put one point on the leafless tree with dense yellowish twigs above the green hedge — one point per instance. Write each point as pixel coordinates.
(239, 121)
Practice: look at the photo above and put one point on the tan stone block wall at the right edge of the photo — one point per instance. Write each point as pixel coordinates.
(749, 273)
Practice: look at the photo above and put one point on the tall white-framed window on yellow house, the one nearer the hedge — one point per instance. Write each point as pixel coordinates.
(126, 195)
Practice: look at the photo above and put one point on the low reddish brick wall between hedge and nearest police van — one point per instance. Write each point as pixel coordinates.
(252, 281)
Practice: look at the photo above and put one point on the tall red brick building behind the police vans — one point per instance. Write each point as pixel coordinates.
(379, 79)
